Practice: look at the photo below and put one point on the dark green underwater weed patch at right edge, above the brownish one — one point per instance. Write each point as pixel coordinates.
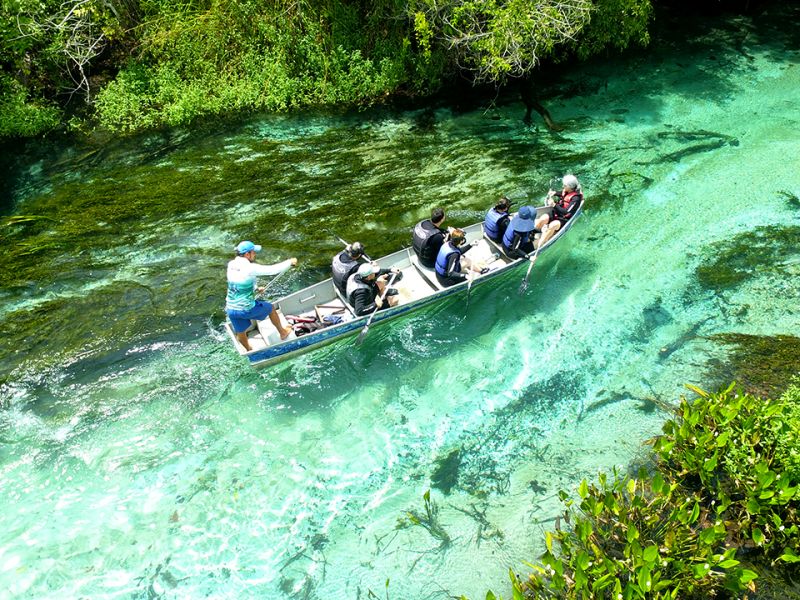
(765, 250)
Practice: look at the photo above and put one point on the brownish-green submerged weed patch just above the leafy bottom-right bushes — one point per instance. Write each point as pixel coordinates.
(762, 365)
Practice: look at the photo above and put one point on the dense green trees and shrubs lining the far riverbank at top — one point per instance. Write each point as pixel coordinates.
(129, 65)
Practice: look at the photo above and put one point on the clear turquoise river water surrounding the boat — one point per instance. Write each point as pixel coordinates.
(141, 458)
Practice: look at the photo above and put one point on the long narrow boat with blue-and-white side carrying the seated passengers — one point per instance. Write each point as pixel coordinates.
(322, 305)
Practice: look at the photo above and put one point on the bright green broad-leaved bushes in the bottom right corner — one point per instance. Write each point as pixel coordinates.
(716, 515)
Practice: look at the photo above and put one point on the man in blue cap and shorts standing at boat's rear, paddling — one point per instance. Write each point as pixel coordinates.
(240, 302)
